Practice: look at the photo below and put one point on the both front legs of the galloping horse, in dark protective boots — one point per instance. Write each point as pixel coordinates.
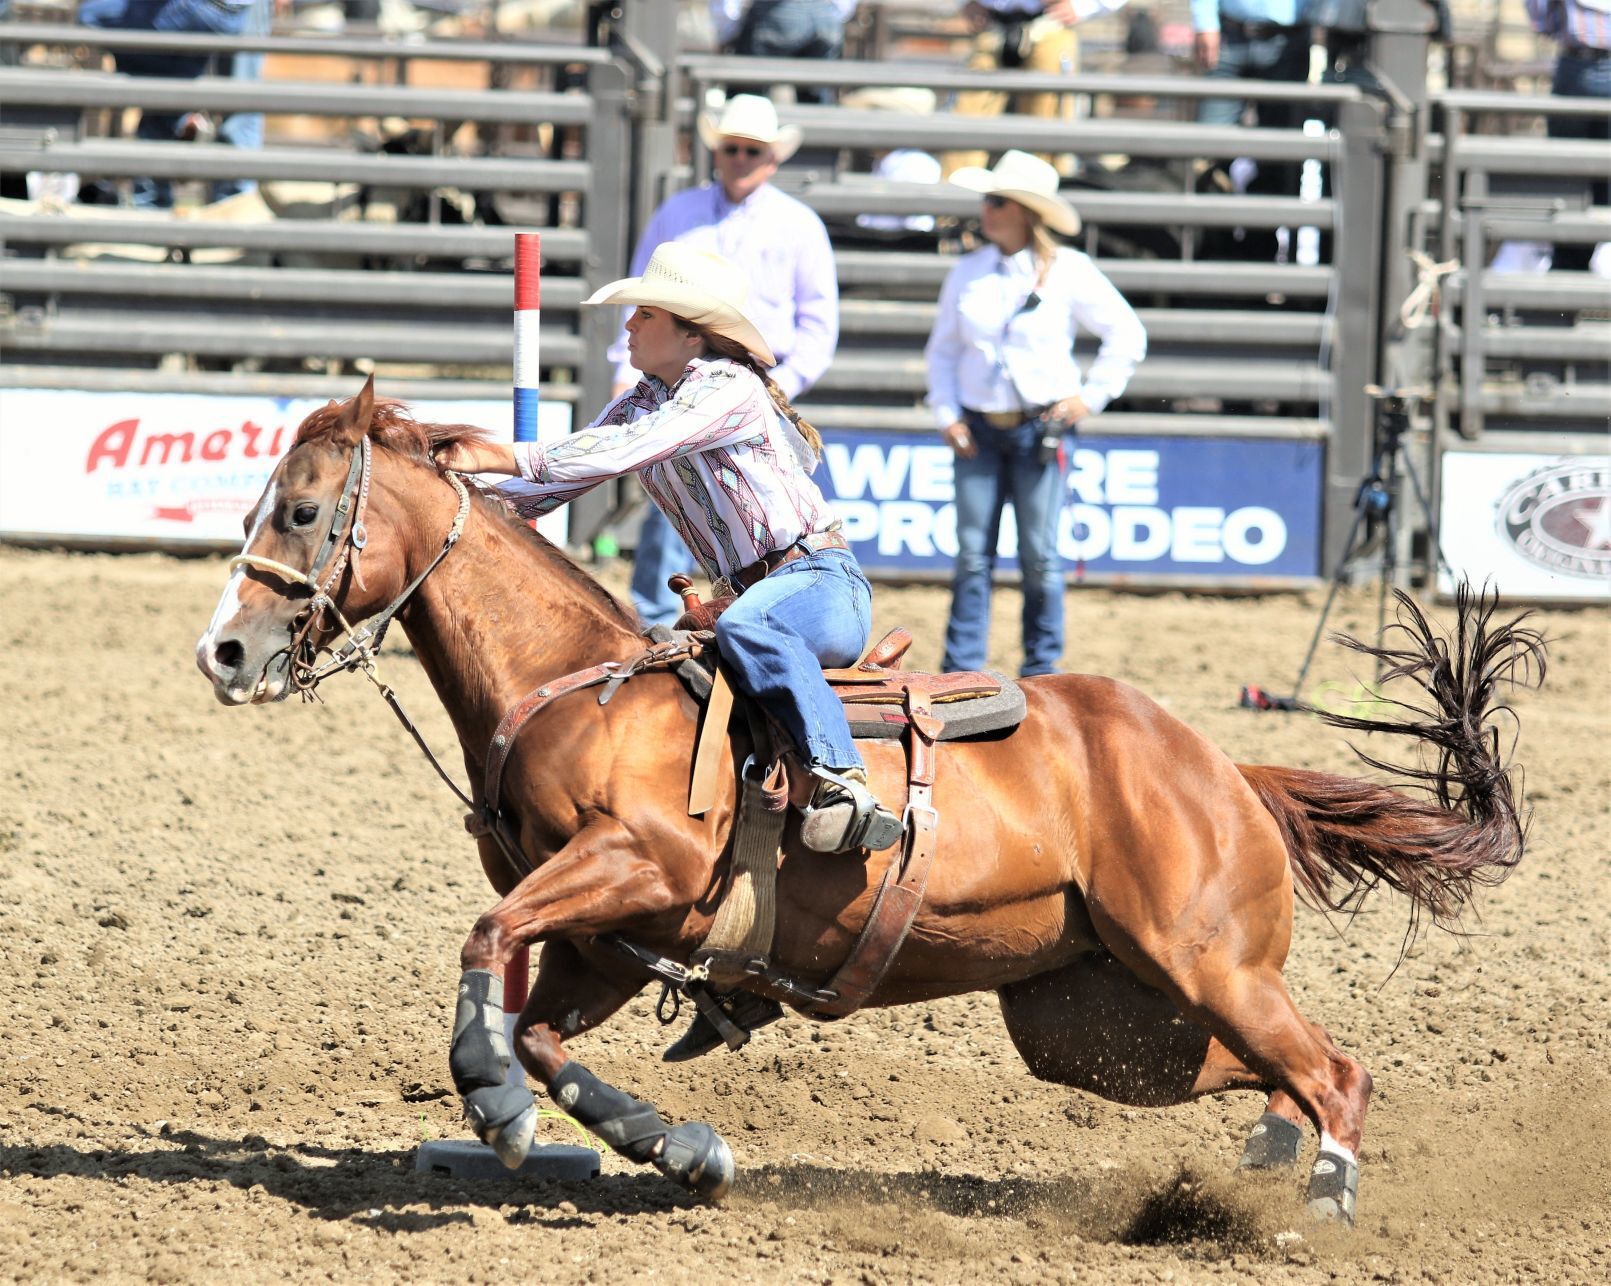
(595, 886)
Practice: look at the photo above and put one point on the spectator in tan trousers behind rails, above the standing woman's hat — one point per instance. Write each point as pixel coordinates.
(1029, 35)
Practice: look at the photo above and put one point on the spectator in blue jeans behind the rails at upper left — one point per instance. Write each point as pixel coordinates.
(217, 17)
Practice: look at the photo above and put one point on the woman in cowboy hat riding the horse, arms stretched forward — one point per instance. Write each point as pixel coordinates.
(729, 462)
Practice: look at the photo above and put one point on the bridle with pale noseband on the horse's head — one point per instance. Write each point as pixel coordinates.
(344, 544)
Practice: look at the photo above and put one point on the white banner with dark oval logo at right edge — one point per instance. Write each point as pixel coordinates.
(1536, 526)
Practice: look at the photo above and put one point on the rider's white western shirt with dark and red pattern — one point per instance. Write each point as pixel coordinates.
(711, 452)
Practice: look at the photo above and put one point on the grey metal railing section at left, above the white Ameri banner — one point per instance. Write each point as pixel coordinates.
(338, 289)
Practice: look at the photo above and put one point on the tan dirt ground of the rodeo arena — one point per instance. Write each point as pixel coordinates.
(230, 945)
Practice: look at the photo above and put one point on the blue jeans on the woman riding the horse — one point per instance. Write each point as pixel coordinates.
(784, 631)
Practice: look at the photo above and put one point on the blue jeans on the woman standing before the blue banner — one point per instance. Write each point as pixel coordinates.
(1008, 468)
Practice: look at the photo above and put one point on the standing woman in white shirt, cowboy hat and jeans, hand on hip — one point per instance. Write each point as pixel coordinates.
(1008, 392)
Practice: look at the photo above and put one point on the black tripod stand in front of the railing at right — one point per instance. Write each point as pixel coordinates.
(1377, 516)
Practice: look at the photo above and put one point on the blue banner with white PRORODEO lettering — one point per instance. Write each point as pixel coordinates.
(1217, 508)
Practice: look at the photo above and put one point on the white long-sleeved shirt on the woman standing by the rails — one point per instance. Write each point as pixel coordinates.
(990, 352)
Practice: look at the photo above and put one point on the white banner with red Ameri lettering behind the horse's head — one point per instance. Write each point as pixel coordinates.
(173, 468)
